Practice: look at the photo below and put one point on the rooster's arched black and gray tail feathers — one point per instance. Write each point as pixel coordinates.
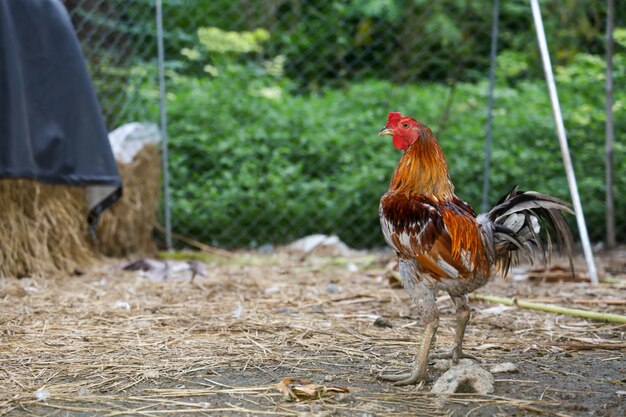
(513, 228)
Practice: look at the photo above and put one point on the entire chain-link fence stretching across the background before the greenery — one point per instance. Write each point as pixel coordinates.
(274, 105)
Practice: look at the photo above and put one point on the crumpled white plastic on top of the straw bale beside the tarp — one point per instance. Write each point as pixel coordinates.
(127, 140)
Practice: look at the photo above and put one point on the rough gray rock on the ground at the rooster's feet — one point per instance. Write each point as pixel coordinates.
(464, 379)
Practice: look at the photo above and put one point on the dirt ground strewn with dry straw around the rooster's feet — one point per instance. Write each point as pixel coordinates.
(114, 342)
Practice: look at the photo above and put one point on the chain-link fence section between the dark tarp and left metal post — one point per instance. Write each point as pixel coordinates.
(119, 44)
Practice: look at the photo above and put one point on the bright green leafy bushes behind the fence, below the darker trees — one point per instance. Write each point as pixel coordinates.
(253, 163)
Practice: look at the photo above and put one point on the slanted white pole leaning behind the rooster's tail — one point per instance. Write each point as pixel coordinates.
(560, 128)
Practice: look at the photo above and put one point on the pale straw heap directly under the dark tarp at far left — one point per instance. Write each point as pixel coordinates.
(43, 228)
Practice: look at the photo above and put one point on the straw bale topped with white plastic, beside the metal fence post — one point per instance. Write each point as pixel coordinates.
(127, 228)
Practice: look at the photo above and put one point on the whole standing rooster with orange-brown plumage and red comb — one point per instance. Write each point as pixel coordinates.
(442, 245)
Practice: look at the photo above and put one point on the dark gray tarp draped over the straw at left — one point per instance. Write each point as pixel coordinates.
(51, 126)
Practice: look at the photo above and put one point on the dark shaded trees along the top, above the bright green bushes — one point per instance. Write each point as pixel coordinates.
(332, 41)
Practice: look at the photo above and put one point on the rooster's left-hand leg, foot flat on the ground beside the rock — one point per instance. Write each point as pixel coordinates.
(424, 299)
